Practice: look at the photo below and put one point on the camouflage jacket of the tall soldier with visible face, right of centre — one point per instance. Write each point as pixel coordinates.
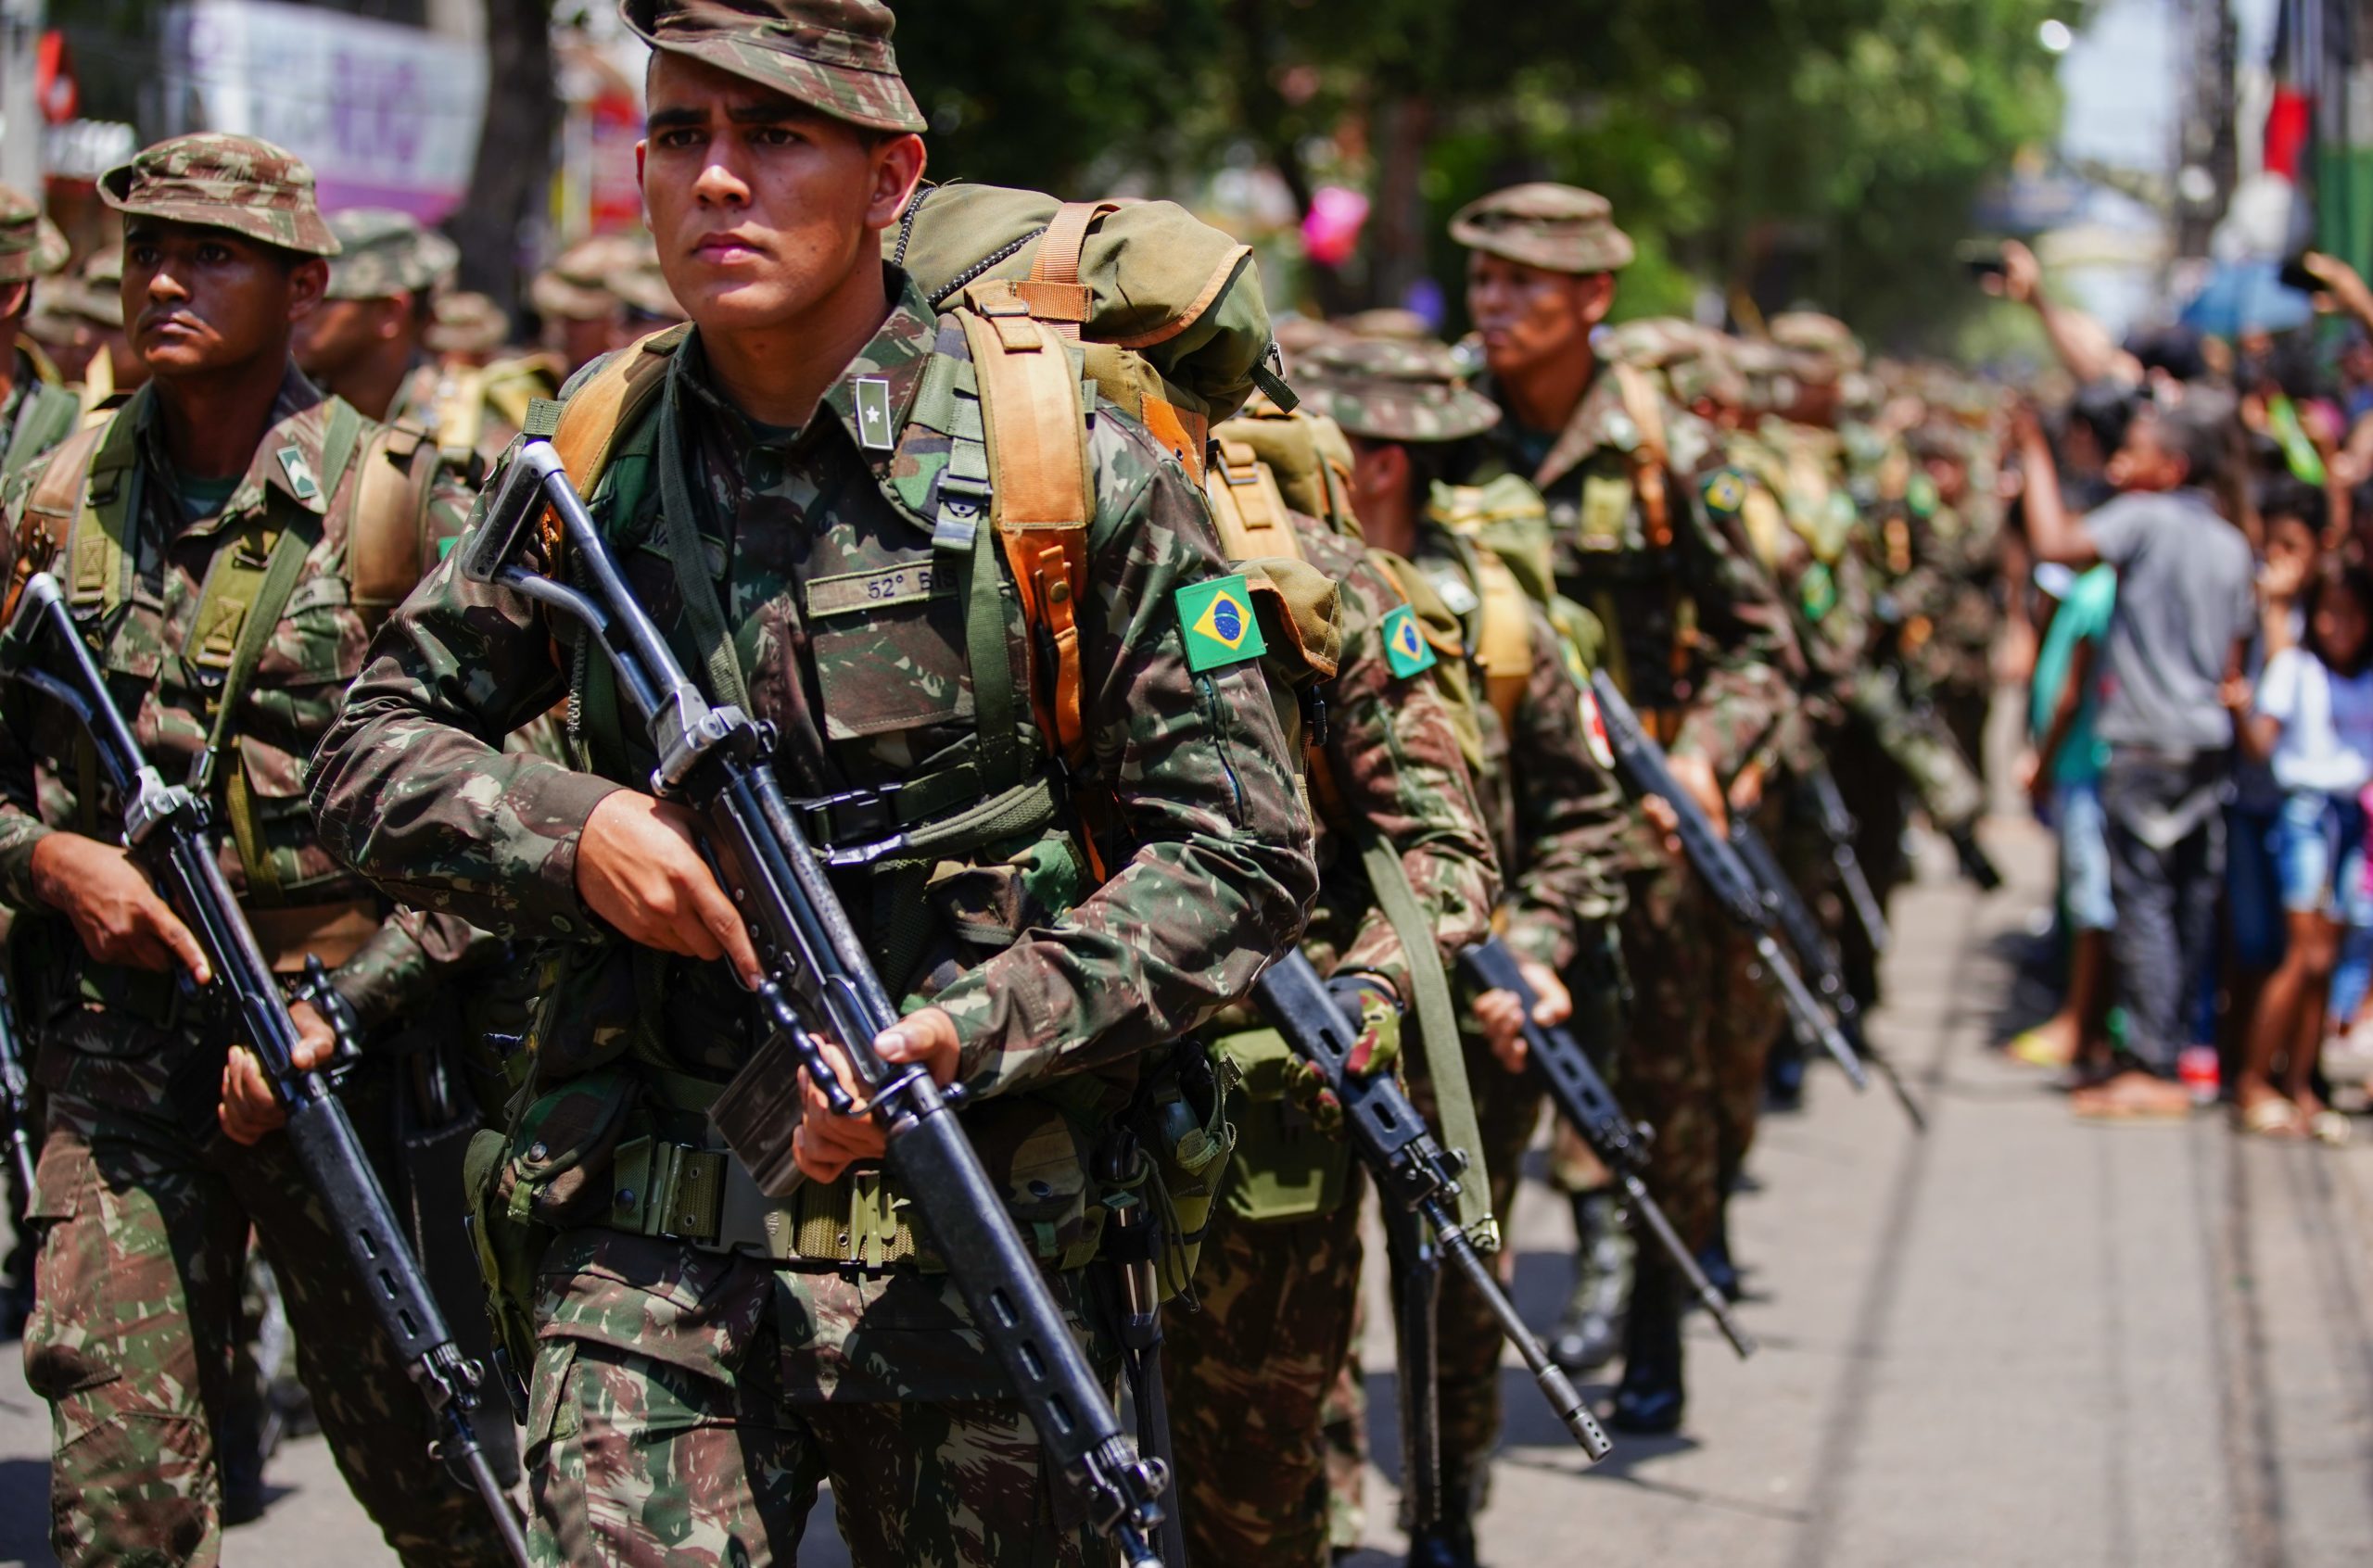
(1696, 630)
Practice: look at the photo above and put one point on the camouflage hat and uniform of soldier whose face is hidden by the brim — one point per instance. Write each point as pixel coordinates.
(1553, 808)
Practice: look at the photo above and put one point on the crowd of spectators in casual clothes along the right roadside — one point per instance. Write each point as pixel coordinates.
(2201, 708)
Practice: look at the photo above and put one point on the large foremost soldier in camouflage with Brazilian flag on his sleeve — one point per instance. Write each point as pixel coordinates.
(694, 1384)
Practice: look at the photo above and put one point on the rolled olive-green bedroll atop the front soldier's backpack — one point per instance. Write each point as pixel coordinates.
(1166, 310)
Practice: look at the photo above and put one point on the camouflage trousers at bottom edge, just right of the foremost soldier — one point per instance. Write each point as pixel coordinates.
(1254, 1379)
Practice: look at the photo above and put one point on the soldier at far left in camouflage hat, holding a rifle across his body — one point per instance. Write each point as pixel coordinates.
(158, 521)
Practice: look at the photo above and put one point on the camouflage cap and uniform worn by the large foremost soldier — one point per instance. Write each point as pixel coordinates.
(692, 1391)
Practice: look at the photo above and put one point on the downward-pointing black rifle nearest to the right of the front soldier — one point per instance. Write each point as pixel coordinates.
(1413, 1173)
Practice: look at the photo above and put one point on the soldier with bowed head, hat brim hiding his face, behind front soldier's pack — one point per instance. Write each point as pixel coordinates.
(1553, 805)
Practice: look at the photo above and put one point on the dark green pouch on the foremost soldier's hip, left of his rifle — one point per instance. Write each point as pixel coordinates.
(530, 1183)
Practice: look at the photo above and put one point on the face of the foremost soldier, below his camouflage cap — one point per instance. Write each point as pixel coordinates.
(763, 208)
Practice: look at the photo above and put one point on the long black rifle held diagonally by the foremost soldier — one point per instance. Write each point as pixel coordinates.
(820, 981)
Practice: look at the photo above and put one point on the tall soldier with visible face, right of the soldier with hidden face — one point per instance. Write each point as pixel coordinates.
(1696, 637)
